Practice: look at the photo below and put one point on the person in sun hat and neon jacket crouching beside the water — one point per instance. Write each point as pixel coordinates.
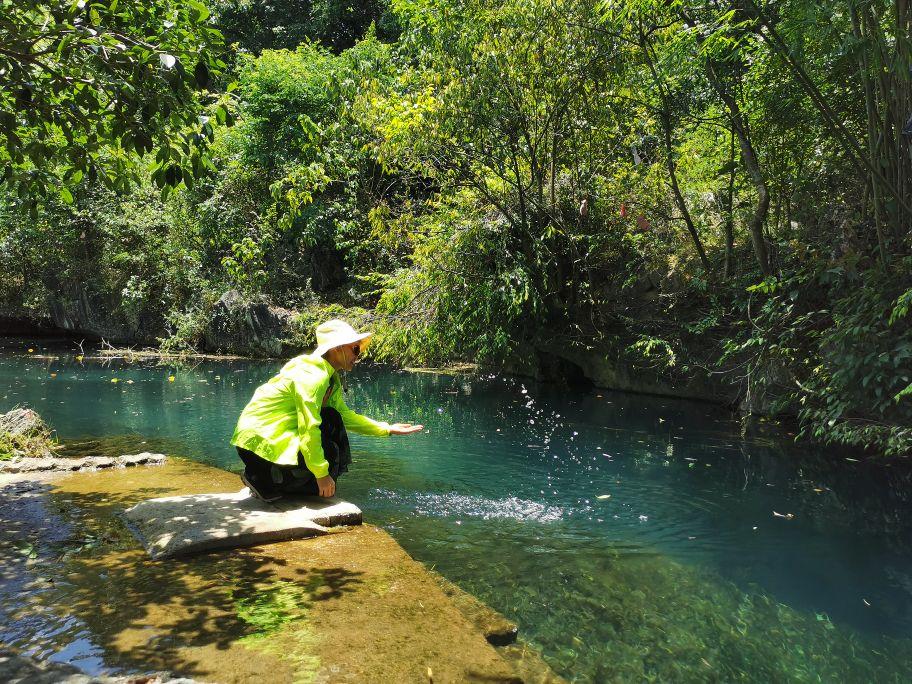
(291, 435)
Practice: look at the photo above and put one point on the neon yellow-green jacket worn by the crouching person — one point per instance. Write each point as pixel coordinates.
(283, 417)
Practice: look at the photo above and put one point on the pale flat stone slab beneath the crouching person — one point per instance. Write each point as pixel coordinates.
(180, 525)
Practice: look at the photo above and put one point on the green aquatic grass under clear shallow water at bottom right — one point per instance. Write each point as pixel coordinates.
(644, 617)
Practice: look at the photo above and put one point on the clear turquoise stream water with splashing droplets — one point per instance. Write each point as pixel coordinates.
(630, 537)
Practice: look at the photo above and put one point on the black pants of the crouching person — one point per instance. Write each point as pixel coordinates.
(272, 479)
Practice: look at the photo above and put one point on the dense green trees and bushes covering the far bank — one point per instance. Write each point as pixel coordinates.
(715, 190)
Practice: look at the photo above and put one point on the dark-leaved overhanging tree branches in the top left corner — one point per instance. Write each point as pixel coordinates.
(86, 88)
